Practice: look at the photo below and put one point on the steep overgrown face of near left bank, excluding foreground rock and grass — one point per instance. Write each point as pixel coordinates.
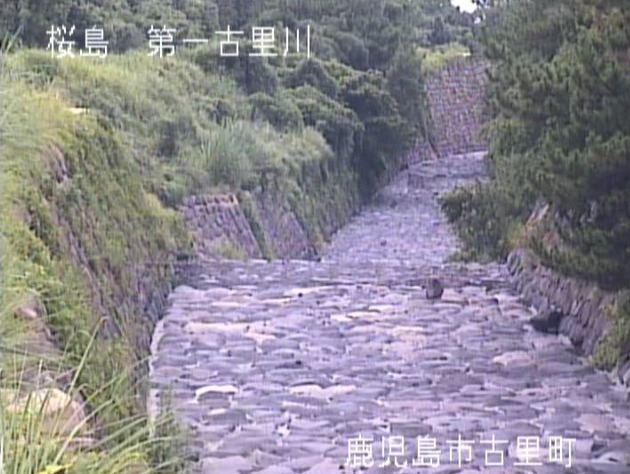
(74, 225)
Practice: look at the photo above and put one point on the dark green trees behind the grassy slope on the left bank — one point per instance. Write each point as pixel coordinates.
(364, 60)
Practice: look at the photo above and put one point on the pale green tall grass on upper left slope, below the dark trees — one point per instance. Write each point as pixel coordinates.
(159, 107)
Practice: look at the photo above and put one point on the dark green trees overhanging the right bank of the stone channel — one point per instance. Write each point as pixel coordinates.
(560, 92)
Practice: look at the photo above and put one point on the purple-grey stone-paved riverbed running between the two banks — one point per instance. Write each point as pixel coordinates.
(344, 365)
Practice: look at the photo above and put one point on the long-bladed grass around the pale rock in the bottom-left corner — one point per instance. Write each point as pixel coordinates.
(47, 431)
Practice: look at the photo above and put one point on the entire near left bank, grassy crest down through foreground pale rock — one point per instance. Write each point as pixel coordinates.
(87, 262)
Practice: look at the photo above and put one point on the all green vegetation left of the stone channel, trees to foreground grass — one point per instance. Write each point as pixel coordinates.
(96, 154)
